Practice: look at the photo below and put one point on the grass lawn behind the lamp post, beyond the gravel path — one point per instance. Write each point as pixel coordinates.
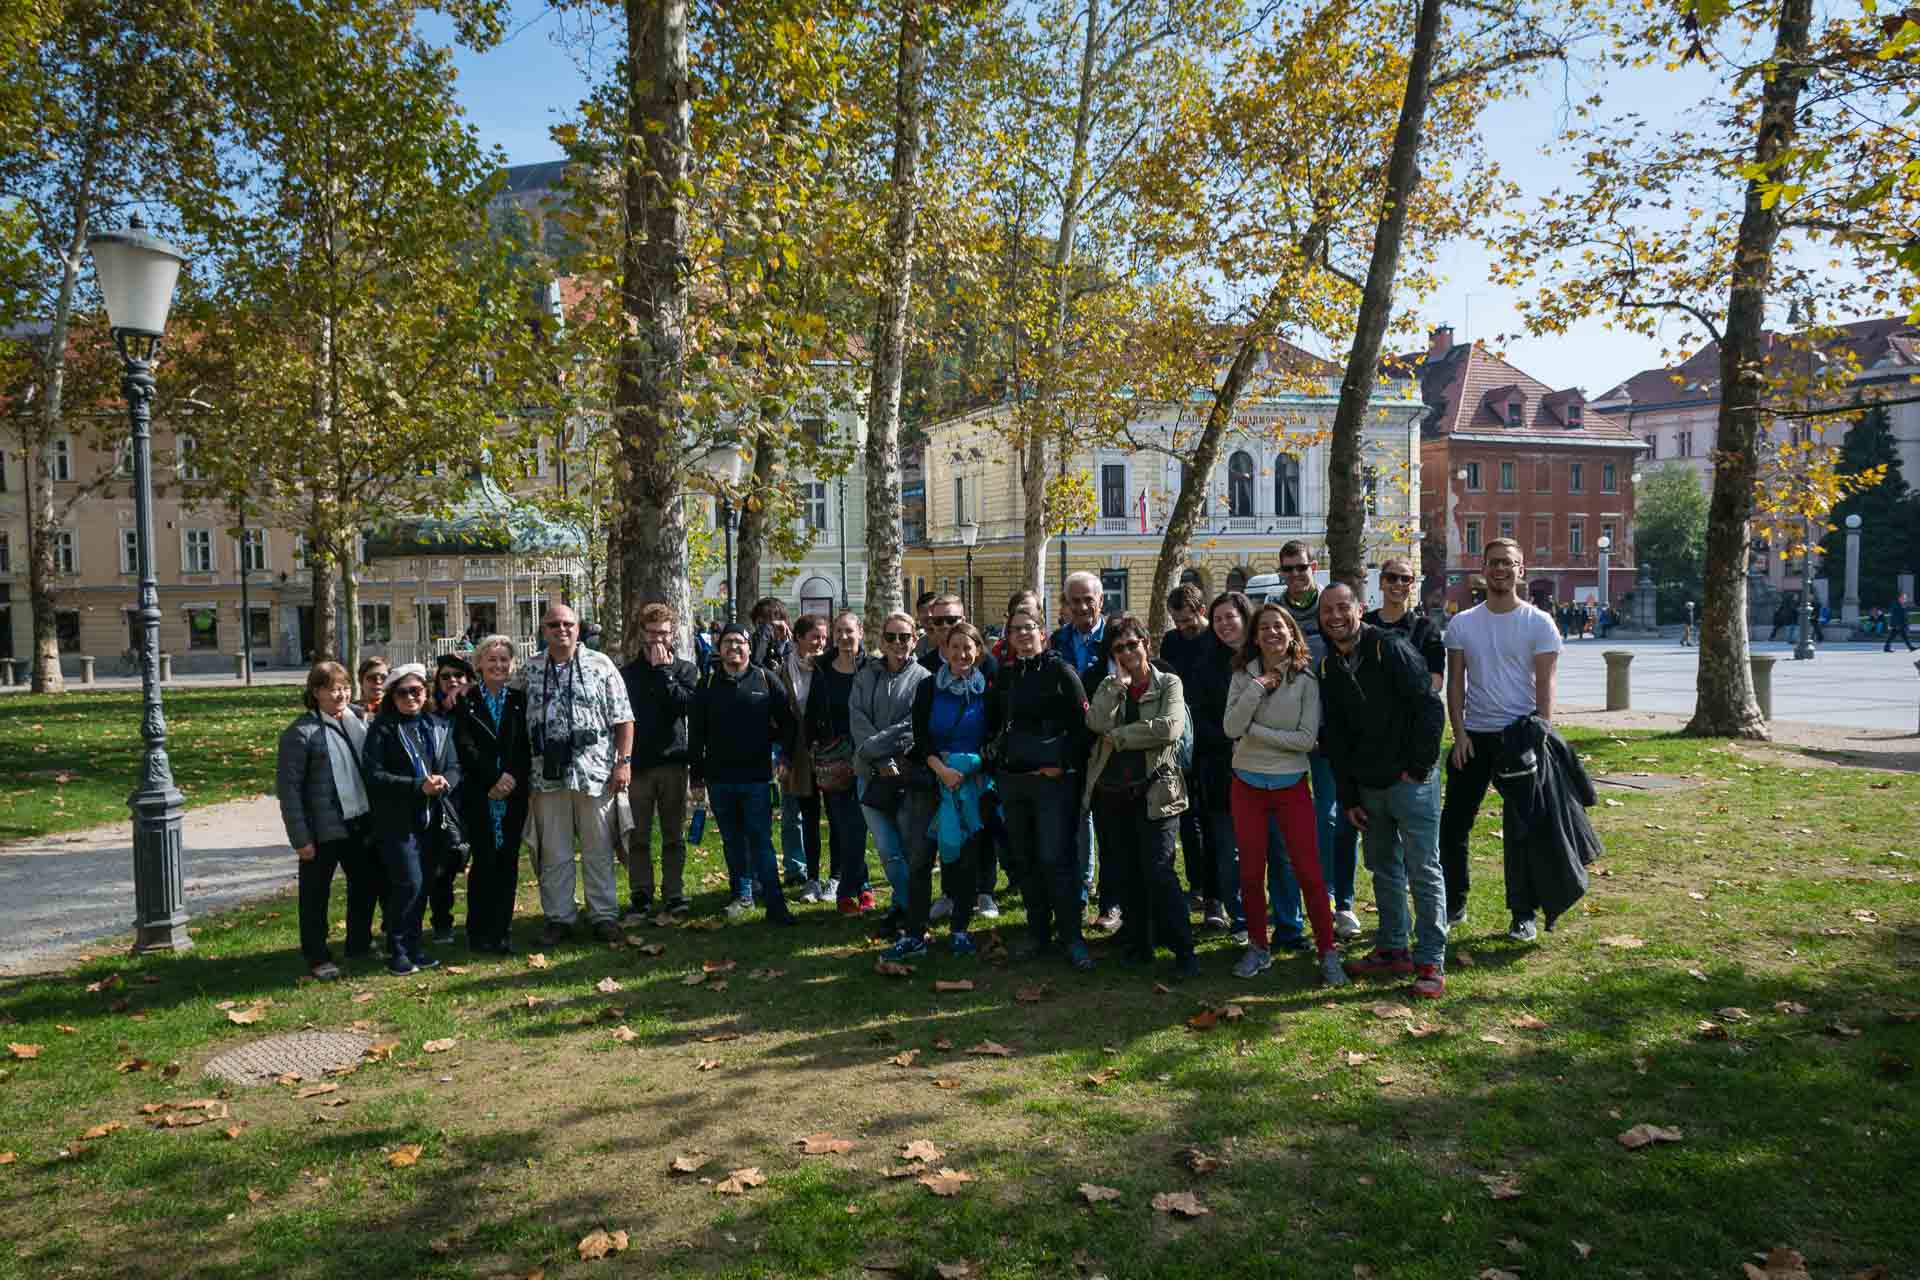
(72, 759)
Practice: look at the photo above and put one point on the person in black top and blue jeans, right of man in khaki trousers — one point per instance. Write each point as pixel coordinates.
(740, 719)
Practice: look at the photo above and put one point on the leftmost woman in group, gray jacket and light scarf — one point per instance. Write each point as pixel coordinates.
(324, 803)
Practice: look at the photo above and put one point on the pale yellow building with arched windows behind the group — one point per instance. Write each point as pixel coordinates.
(1268, 488)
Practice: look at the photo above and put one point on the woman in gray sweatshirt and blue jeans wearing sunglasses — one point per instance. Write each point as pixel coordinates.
(880, 715)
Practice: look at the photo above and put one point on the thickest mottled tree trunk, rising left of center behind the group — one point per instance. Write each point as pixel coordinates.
(654, 293)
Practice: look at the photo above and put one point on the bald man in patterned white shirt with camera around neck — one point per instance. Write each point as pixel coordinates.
(583, 728)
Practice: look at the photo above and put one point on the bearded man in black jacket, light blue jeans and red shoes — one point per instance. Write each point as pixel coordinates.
(1381, 726)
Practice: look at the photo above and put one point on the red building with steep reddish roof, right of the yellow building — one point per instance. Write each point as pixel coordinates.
(1508, 456)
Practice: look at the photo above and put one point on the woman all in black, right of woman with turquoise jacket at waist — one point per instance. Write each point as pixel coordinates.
(1045, 713)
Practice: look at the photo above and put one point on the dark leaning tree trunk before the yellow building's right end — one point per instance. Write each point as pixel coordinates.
(1347, 515)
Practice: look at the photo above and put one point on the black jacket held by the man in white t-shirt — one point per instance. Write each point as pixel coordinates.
(1547, 797)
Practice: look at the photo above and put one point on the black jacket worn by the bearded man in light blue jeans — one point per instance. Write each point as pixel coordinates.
(1380, 717)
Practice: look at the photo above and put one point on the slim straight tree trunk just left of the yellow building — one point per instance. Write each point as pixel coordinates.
(890, 329)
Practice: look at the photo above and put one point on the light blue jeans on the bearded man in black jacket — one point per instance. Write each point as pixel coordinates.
(1404, 851)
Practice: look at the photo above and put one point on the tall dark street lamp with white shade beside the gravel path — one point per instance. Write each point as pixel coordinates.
(137, 275)
